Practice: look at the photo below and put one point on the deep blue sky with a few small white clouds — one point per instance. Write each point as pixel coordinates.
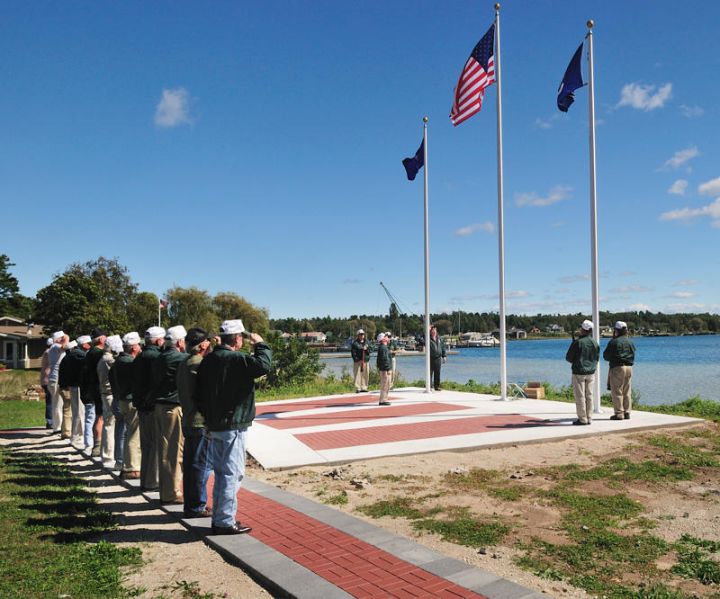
(257, 147)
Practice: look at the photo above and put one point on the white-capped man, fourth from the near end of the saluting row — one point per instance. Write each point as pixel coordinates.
(141, 387)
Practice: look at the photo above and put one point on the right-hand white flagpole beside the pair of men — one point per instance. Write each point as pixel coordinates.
(593, 215)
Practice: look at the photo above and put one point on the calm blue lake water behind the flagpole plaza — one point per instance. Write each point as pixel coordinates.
(667, 369)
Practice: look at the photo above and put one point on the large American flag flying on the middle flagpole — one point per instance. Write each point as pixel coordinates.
(478, 73)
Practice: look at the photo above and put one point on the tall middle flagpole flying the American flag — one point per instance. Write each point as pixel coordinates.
(501, 220)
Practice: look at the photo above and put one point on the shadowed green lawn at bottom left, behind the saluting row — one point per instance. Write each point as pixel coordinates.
(49, 526)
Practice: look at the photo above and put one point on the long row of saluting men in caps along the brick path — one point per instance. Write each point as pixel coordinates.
(167, 409)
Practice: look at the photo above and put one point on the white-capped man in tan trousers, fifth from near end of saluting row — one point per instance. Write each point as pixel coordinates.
(121, 377)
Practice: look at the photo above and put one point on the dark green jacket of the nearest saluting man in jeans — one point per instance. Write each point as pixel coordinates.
(225, 386)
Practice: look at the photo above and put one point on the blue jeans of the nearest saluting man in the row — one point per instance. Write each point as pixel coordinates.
(227, 452)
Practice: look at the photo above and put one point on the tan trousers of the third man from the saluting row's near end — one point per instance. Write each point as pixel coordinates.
(168, 420)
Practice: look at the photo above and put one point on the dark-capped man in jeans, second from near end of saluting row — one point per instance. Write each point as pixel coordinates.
(196, 465)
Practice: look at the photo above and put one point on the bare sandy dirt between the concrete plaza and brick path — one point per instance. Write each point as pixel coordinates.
(686, 507)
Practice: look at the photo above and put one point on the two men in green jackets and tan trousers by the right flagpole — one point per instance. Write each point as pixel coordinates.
(584, 353)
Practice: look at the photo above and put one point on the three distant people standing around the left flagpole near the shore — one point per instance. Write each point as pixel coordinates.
(386, 361)
